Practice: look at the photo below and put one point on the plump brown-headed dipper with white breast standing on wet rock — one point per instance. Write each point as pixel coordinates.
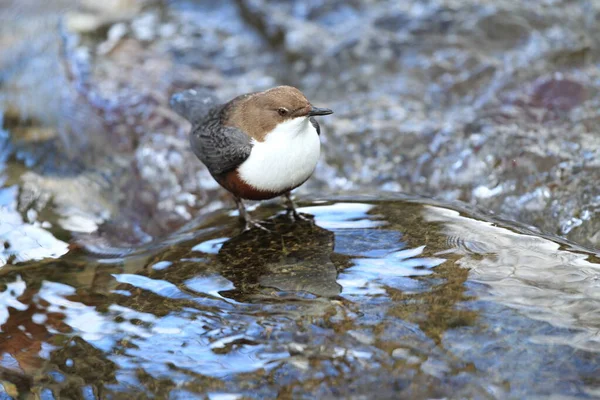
(257, 146)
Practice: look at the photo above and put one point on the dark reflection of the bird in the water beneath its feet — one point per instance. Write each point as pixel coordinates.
(292, 258)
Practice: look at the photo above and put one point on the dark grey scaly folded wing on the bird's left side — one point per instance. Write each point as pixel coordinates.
(220, 148)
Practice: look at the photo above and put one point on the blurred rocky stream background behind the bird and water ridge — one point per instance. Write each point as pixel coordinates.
(491, 103)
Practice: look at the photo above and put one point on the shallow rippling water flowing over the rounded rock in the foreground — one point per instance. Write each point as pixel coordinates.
(402, 299)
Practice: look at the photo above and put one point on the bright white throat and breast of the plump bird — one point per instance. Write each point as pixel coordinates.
(285, 159)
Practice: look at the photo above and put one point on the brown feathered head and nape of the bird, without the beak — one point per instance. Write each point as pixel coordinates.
(258, 113)
